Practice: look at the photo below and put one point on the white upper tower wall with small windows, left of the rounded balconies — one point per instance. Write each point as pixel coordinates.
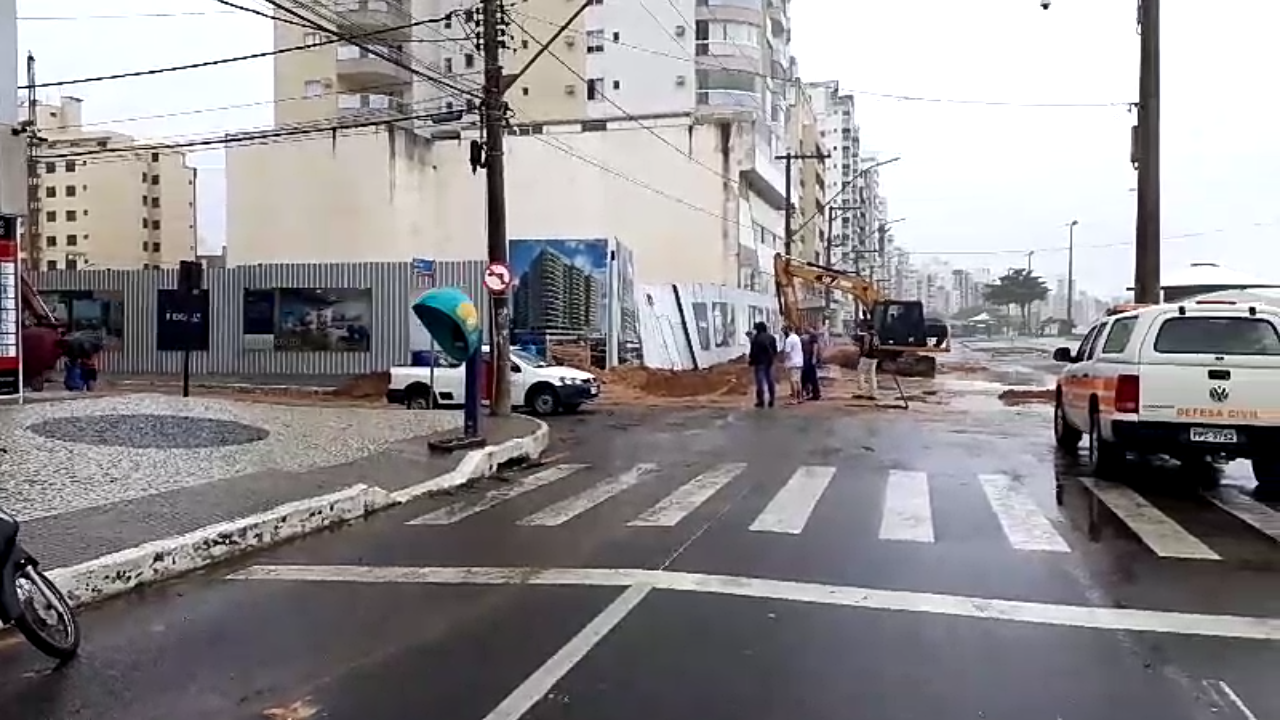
(647, 80)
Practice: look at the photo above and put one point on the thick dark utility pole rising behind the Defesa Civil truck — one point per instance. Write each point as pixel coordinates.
(1148, 157)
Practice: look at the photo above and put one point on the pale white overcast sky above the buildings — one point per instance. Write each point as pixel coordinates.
(973, 179)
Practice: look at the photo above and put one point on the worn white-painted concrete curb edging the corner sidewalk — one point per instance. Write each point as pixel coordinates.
(159, 560)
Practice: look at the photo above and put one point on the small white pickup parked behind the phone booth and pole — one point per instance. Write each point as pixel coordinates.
(537, 385)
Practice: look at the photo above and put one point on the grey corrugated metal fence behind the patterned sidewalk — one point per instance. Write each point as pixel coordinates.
(394, 288)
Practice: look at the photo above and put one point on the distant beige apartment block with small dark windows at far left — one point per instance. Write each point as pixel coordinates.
(120, 209)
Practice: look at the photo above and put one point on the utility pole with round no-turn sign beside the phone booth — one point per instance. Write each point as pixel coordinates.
(493, 111)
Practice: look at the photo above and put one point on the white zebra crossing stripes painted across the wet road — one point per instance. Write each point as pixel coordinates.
(907, 514)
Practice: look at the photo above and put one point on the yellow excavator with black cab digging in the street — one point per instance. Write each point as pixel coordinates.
(904, 340)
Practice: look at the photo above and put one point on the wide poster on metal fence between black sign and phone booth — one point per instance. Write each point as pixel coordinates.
(308, 320)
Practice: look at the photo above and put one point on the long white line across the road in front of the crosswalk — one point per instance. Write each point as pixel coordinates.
(868, 599)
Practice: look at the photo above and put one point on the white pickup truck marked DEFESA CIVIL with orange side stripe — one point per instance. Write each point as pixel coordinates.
(1199, 381)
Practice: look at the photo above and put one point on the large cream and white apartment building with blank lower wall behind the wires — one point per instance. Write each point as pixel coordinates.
(652, 122)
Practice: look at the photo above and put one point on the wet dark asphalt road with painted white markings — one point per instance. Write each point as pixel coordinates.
(808, 564)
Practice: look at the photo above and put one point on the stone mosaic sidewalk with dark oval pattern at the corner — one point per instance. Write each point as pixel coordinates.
(98, 476)
